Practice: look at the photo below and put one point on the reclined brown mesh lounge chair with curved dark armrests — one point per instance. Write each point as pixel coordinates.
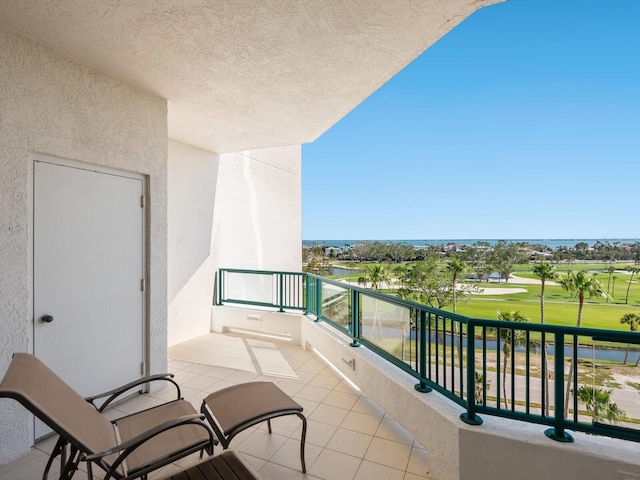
(127, 448)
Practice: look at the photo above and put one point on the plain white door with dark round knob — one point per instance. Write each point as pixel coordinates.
(88, 266)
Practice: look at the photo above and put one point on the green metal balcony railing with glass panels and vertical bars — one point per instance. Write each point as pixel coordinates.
(508, 369)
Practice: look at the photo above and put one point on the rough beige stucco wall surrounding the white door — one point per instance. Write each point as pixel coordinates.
(52, 105)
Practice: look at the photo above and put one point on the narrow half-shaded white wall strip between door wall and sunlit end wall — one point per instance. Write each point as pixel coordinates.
(192, 178)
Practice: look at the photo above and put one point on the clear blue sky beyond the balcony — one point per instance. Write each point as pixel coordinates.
(522, 122)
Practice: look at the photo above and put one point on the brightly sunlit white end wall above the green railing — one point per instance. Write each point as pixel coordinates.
(258, 208)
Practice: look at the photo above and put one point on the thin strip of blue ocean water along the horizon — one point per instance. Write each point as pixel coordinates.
(551, 243)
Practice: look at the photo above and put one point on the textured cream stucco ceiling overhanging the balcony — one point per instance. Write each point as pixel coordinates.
(242, 74)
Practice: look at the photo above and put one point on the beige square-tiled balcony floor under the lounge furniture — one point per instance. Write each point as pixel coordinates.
(349, 437)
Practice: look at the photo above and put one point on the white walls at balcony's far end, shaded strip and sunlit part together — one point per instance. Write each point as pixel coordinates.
(238, 210)
